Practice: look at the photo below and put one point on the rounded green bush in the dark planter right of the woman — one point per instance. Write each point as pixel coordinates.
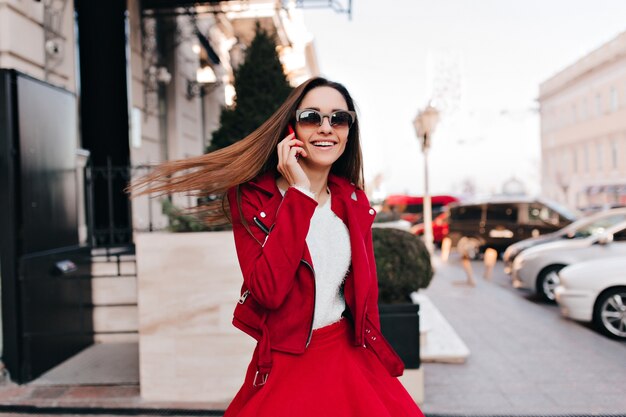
(402, 264)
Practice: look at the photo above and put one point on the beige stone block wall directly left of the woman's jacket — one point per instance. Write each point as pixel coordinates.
(188, 288)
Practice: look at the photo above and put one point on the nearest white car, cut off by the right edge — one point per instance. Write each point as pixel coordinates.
(595, 291)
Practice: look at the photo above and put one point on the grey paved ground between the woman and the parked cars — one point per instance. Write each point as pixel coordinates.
(525, 358)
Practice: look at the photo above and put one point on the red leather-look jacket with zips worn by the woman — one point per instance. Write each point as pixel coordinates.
(278, 292)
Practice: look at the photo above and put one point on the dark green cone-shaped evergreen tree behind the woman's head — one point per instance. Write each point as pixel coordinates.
(260, 87)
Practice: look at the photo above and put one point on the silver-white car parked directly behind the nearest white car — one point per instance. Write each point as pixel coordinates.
(537, 268)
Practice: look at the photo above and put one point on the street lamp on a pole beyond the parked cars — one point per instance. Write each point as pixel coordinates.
(424, 124)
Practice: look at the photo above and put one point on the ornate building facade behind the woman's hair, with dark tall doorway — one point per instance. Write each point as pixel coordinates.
(149, 79)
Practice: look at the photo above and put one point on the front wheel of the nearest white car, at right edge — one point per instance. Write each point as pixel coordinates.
(609, 313)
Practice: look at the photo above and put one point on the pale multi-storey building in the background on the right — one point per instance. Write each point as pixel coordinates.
(583, 130)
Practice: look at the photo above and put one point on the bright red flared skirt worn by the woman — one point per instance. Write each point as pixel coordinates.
(332, 378)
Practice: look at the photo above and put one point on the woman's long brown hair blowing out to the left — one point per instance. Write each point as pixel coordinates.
(214, 173)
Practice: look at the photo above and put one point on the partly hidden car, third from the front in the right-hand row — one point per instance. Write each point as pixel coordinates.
(581, 228)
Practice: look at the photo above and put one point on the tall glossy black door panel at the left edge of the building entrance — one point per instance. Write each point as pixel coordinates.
(46, 293)
